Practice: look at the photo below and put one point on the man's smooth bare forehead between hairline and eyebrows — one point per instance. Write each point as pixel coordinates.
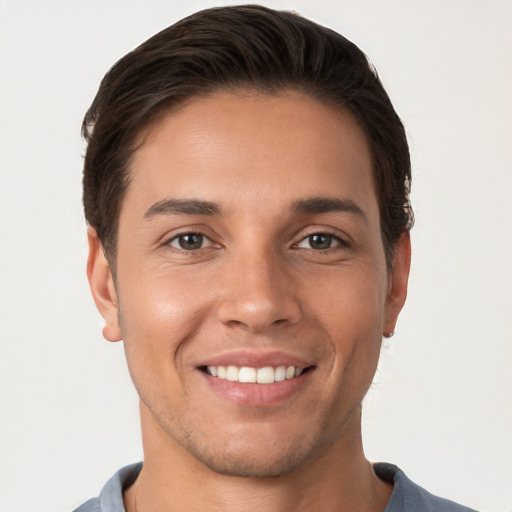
(252, 149)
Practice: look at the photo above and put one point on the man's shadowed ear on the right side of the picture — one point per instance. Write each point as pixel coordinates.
(398, 279)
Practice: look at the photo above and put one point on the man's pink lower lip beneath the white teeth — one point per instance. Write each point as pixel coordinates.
(257, 395)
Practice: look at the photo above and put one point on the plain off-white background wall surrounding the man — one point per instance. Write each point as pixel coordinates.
(441, 405)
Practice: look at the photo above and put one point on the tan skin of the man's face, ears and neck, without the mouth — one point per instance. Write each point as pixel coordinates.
(257, 283)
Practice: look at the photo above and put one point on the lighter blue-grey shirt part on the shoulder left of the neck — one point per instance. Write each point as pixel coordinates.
(111, 496)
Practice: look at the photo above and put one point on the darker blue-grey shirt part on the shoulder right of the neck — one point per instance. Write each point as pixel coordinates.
(409, 496)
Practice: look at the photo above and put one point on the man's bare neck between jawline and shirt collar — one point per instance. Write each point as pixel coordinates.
(340, 479)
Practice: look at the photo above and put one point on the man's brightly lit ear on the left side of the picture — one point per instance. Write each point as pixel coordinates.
(102, 287)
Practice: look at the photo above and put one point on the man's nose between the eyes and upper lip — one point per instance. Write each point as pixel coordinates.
(259, 293)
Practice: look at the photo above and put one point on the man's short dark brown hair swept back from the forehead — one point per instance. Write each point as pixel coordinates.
(229, 48)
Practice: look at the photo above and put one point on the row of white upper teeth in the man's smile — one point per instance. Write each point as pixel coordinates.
(265, 375)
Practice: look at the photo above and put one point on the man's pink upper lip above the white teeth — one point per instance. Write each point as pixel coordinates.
(256, 359)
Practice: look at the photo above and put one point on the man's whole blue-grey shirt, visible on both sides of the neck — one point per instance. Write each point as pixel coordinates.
(406, 497)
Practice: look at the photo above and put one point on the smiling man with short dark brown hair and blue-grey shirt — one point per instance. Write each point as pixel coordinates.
(246, 186)
